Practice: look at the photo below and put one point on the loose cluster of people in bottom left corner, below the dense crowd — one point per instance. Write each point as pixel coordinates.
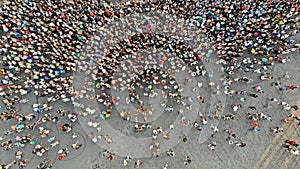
(26, 136)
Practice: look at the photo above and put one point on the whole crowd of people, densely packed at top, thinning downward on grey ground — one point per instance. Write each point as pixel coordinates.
(43, 42)
